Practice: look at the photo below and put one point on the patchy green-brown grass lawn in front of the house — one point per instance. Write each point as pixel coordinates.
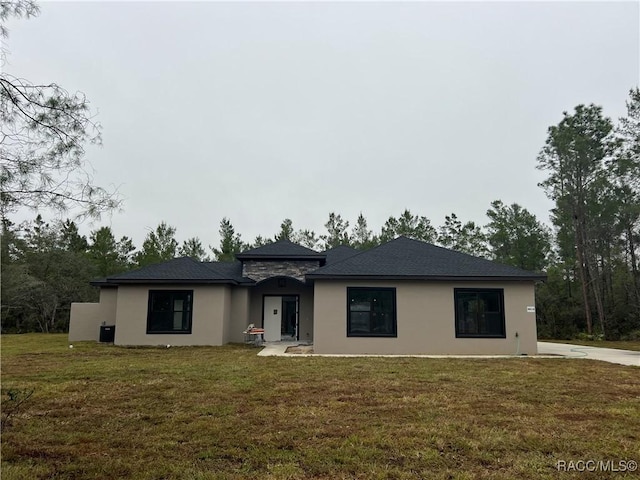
(105, 412)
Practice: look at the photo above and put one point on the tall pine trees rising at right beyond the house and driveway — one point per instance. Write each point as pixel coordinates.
(593, 172)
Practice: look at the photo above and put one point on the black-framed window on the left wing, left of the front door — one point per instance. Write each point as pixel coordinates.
(169, 311)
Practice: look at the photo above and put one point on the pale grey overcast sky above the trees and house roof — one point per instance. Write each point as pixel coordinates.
(265, 111)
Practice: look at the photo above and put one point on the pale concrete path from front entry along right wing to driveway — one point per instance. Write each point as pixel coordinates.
(545, 350)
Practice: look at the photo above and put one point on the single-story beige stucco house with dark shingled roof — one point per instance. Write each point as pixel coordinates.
(402, 297)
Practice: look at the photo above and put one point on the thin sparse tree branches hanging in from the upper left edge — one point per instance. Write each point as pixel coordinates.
(43, 131)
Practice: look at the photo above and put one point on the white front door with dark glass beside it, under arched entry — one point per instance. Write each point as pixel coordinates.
(280, 317)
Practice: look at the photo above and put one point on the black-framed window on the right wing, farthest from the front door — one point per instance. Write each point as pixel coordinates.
(479, 313)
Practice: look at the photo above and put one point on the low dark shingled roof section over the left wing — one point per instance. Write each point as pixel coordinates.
(178, 270)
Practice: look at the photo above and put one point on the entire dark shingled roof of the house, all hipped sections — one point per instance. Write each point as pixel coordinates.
(402, 258)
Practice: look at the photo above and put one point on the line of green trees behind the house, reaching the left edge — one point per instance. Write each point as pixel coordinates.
(46, 267)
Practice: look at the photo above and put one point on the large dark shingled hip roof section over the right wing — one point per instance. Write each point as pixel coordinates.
(407, 258)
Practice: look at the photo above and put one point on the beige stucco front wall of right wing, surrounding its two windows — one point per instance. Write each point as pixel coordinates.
(425, 320)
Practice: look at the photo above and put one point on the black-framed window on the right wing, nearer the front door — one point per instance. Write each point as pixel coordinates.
(371, 312)
